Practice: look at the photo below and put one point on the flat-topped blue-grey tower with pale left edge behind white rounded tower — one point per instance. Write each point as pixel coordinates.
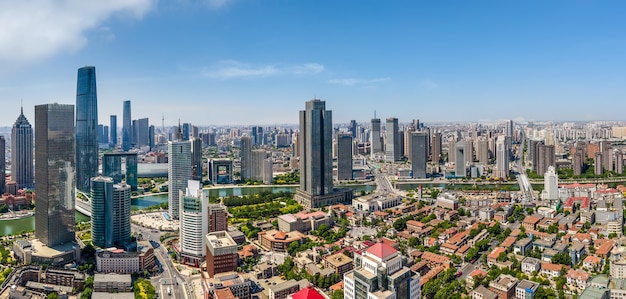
(178, 171)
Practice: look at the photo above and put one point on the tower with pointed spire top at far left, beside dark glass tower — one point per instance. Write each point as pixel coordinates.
(22, 166)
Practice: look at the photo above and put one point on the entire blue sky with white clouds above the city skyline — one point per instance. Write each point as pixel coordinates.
(230, 62)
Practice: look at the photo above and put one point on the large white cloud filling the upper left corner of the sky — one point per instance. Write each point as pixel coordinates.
(37, 29)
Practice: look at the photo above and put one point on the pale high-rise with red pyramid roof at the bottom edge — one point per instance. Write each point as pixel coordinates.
(380, 273)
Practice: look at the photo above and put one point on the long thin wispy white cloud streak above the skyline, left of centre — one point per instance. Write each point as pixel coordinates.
(231, 69)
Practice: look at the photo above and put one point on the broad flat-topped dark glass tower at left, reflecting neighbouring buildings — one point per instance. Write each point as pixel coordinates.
(55, 155)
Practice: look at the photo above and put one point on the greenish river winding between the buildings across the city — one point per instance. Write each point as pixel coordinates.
(9, 227)
